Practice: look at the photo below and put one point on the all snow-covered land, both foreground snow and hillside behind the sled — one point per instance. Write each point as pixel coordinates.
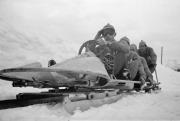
(23, 50)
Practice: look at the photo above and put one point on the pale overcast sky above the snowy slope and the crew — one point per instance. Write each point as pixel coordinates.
(155, 21)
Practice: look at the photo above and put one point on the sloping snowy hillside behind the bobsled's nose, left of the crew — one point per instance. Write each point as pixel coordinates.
(19, 47)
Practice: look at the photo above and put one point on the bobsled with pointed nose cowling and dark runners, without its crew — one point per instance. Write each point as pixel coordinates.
(78, 79)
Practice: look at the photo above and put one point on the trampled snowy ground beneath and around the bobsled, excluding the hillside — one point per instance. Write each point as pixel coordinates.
(160, 106)
